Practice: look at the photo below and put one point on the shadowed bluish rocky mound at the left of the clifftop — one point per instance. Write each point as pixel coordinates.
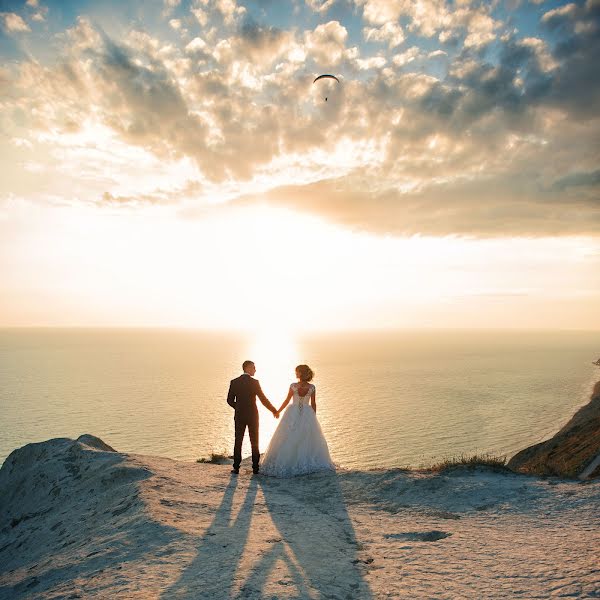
(61, 501)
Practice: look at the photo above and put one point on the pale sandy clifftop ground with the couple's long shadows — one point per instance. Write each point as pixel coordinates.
(77, 522)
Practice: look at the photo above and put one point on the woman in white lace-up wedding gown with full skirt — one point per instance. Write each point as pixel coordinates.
(298, 445)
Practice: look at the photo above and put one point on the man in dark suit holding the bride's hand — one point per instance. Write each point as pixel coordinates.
(242, 397)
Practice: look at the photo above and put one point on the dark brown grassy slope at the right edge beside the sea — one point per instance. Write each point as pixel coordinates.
(573, 452)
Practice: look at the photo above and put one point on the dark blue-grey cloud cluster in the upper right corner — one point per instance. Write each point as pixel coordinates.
(522, 78)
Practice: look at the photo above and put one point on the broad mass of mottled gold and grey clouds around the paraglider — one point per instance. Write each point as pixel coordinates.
(499, 135)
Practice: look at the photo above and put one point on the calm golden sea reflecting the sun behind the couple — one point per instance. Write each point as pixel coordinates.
(384, 399)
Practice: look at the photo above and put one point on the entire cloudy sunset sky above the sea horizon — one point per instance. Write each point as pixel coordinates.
(171, 163)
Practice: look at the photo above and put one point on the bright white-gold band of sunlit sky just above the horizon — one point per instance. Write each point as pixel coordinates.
(274, 271)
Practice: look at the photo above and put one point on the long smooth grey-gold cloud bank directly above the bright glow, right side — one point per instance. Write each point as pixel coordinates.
(488, 207)
